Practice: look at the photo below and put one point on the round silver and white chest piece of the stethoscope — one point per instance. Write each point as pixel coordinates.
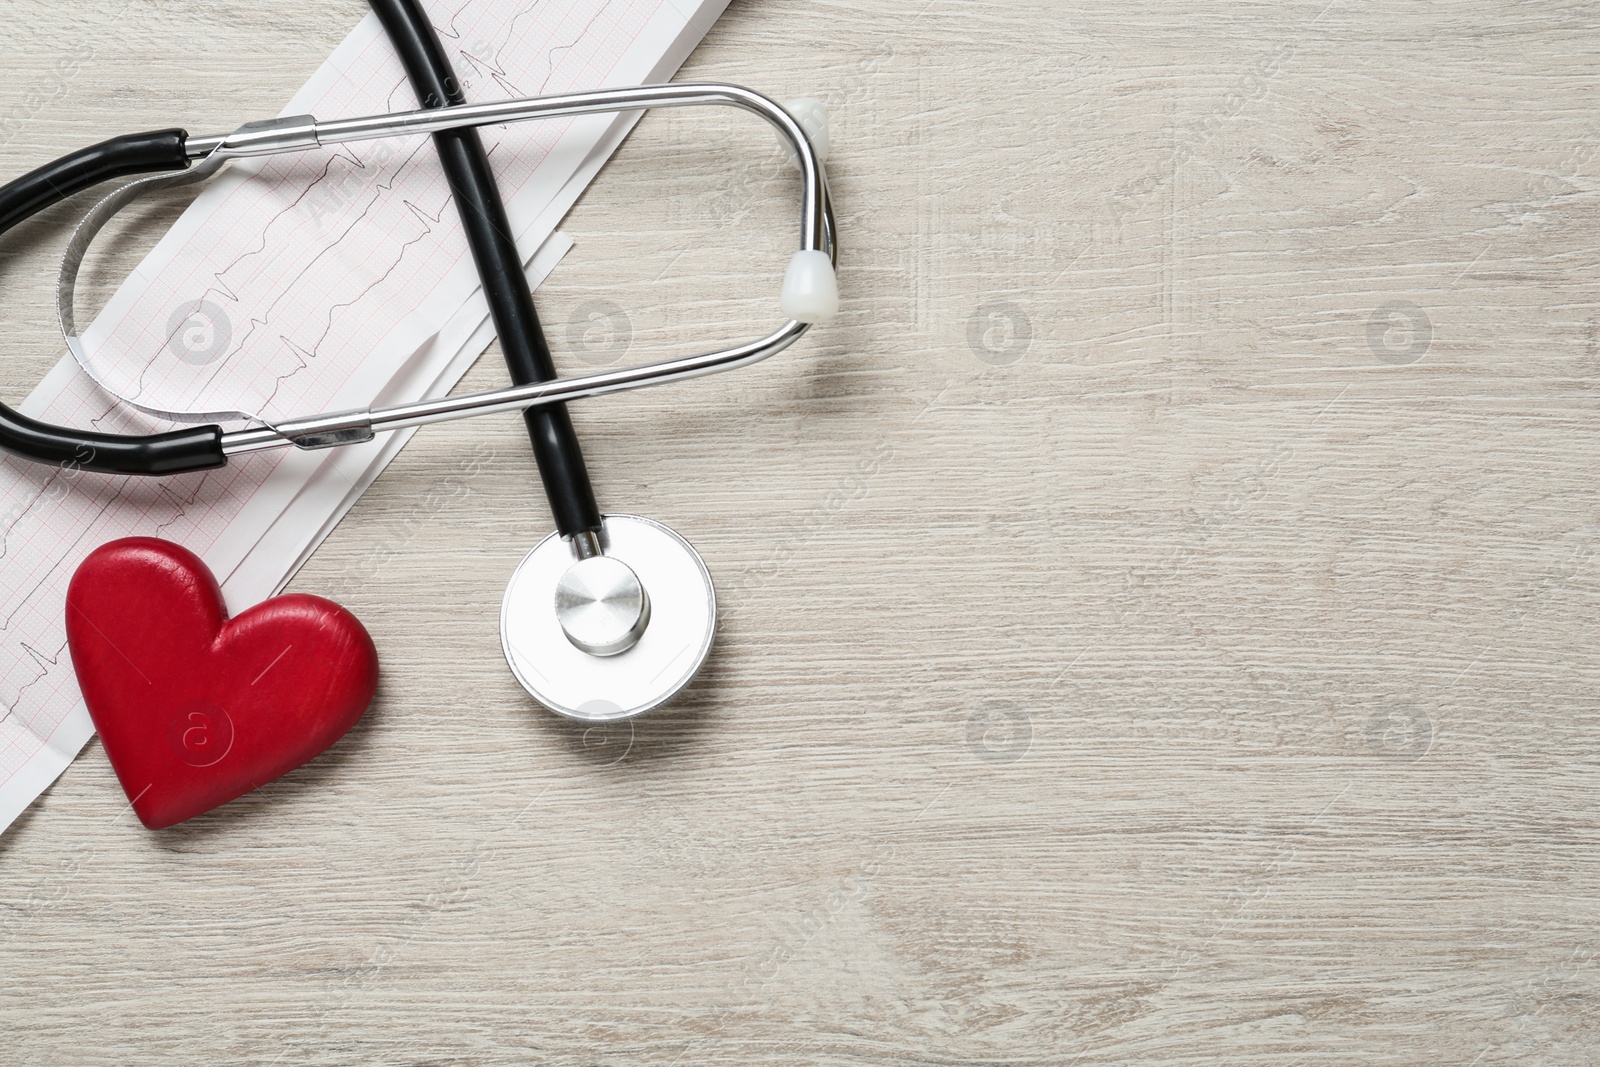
(610, 634)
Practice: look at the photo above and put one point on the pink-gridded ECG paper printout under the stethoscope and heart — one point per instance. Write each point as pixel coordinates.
(295, 286)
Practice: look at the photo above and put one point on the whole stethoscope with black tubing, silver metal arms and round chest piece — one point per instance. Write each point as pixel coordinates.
(607, 618)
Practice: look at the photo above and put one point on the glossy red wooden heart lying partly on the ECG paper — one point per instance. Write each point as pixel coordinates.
(194, 708)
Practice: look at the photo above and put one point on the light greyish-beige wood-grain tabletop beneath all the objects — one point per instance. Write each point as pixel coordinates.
(1159, 617)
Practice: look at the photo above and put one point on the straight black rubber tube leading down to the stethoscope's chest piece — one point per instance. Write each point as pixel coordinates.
(500, 266)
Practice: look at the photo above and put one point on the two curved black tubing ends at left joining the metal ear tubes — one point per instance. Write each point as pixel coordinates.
(194, 449)
